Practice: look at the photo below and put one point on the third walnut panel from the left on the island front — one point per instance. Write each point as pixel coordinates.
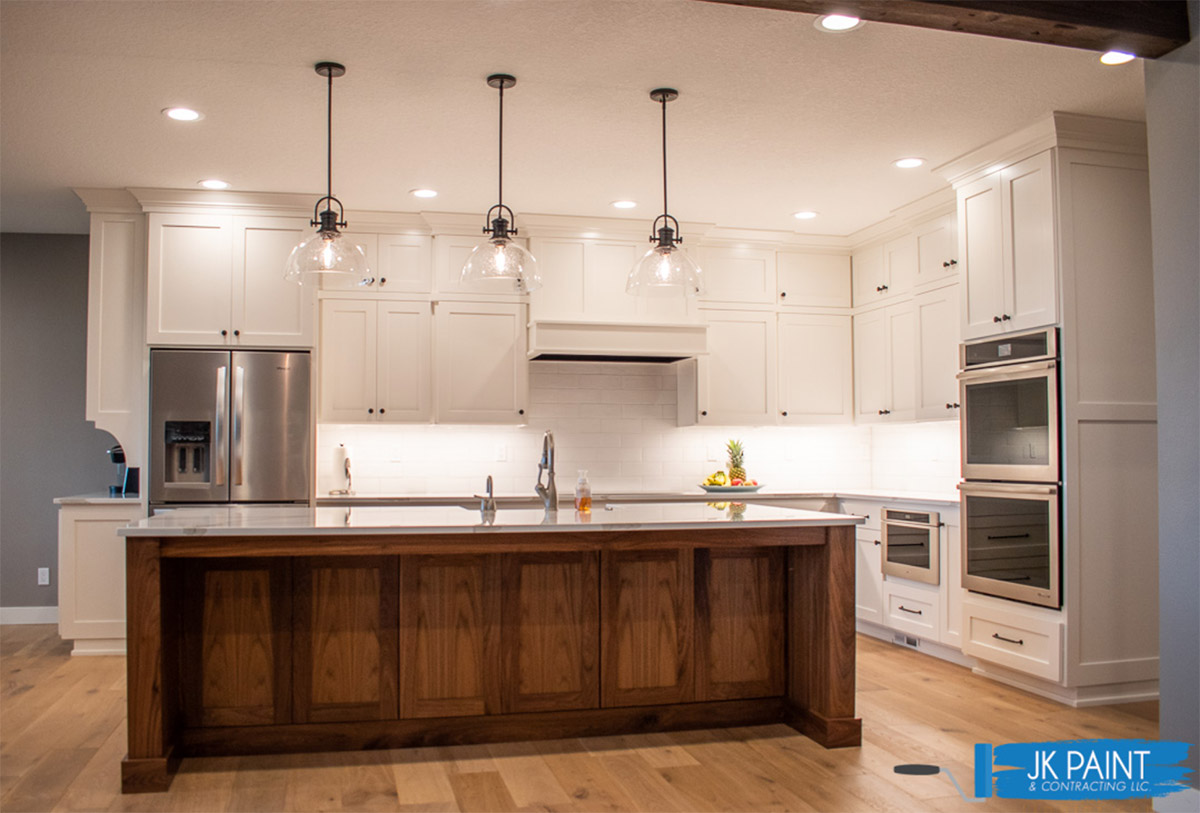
(451, 636)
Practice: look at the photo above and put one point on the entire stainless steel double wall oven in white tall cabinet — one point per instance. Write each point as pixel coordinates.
(1009, 388)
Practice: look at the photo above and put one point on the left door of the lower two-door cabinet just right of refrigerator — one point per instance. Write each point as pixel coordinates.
(349, 330)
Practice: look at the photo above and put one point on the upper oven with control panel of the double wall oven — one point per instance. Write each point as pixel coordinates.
(1010, 421)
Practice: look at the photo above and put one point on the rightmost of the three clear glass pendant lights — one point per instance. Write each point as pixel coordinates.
(665, 270)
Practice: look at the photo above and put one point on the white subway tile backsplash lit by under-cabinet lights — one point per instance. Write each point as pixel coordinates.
(619, 421)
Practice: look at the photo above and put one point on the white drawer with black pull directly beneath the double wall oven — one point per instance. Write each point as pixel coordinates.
(1018, 642)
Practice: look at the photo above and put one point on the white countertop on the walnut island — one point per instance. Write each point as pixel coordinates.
(303, 521)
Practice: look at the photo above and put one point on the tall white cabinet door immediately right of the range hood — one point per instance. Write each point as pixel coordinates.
(736, 382)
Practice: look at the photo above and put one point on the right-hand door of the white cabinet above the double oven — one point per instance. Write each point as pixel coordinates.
(1031, 279)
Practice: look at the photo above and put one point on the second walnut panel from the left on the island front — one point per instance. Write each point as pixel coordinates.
(346, 639)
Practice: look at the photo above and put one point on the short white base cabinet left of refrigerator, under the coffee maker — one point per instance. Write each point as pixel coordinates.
(92, 575)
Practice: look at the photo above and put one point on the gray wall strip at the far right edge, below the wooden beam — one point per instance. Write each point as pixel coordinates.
(1173, 123)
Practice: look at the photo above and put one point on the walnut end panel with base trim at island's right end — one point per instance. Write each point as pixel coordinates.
(821, 640)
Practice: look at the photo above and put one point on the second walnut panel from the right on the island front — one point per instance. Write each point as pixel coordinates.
(646, 629)
